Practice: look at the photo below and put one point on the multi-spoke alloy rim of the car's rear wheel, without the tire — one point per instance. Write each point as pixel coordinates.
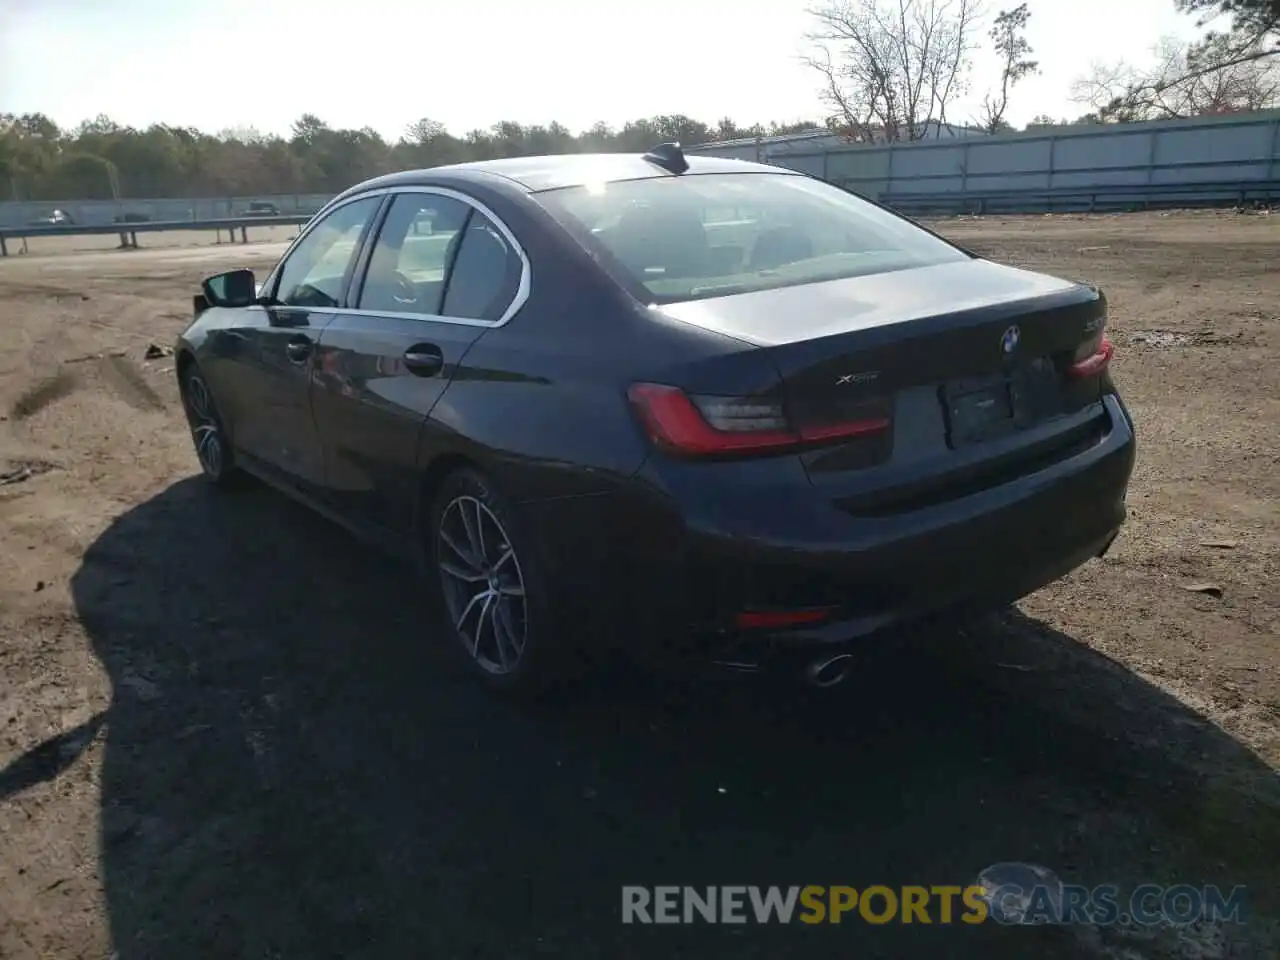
(484, 588)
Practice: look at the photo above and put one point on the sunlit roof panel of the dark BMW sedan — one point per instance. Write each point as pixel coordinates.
(540, 173)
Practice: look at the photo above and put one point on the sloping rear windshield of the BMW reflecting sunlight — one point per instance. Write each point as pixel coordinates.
(702, 236)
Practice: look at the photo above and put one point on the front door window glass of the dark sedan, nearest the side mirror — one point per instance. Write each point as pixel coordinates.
(314, 275)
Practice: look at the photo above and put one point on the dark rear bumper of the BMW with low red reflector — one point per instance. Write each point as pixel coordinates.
(661, 568)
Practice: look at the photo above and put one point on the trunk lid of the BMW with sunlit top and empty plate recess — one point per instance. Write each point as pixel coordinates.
(967, 360)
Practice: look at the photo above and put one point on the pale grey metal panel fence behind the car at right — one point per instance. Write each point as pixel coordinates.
(1186, 162)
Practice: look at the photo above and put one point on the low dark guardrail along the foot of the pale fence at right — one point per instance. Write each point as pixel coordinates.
(1092, 199)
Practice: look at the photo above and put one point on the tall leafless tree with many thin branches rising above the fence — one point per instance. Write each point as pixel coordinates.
(892, 68)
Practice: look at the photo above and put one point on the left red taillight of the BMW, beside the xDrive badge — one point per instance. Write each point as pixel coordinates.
(706, 427)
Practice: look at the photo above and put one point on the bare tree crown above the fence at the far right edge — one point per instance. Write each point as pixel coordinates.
(1183, 80)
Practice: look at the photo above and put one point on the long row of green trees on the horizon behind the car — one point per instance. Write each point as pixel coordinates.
(103, 161)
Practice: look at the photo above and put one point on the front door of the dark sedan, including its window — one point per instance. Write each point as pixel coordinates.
(271, 406)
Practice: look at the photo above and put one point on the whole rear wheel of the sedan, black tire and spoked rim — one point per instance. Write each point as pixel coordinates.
(492, 584)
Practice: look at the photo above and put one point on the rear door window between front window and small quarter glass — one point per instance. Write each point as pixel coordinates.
(415, 244)
